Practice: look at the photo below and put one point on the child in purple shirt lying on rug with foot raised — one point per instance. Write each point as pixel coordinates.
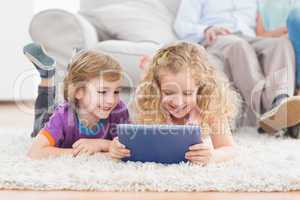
(86, 122)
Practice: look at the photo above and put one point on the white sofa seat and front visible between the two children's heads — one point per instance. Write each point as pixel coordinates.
(129, 55)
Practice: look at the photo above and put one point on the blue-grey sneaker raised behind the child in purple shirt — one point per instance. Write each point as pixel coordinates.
(43, 63)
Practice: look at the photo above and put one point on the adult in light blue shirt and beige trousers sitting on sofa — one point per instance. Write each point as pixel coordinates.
(263, 69)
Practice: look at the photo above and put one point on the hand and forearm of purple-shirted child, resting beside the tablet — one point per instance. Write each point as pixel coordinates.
(91, 146)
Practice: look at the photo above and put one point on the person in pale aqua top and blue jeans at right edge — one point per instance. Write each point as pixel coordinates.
(280, 18)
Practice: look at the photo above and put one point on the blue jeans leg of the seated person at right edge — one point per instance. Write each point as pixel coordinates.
(293, 24)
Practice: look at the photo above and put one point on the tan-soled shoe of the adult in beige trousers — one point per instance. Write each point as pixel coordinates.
(284, 115)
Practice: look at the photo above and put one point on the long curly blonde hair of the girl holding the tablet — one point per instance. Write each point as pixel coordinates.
(215, 98)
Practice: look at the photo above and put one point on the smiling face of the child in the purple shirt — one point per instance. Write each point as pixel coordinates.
(99, 97)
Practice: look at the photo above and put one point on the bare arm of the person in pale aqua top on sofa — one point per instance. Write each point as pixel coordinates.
(260, 29)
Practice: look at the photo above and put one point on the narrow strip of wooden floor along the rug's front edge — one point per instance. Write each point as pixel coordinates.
(64, 195)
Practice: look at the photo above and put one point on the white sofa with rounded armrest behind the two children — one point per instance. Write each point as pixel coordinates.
(125, 29)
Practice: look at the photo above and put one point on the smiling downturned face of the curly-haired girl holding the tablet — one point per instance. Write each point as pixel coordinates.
(179, 92)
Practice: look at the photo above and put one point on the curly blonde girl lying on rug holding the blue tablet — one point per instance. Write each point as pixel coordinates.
(181, 87)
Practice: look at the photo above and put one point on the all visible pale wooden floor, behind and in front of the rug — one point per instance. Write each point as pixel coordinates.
(12, 115)
